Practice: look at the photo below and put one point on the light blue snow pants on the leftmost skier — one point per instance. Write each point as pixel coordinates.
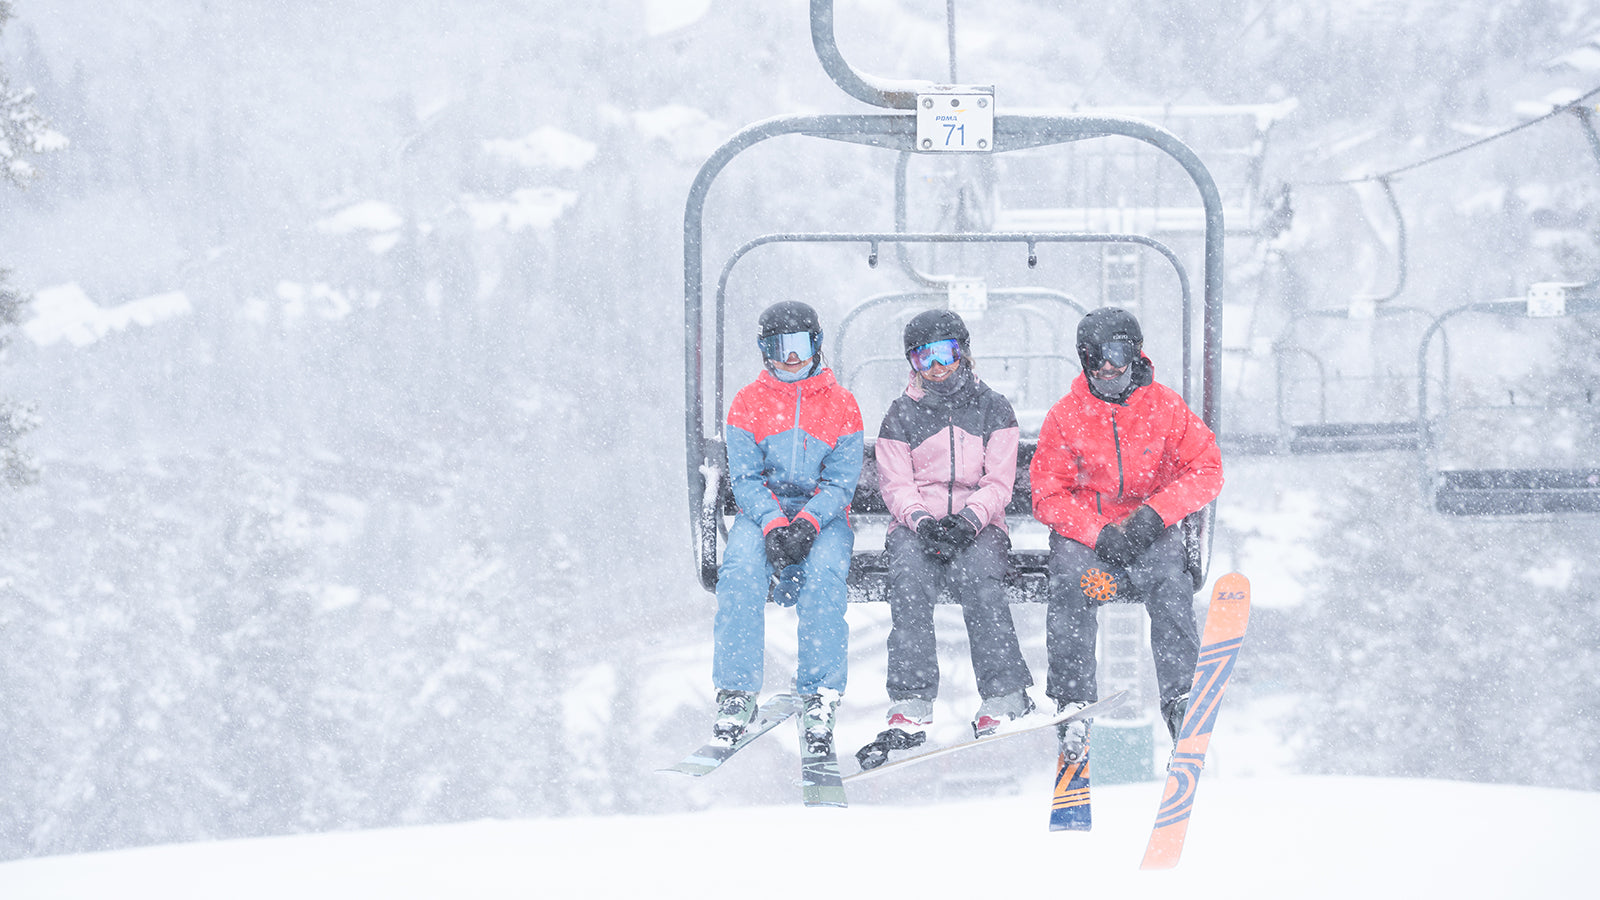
(742, 611)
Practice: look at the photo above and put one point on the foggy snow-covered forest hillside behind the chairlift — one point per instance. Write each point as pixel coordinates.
(386, 523)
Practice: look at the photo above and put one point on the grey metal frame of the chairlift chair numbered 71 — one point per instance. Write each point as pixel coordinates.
(710, 494)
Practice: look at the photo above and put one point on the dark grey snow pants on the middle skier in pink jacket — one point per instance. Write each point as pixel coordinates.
(977, 581)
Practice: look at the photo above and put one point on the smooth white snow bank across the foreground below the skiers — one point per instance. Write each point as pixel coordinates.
(1249, 838)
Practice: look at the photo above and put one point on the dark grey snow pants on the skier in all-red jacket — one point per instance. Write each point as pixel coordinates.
(1159, 581)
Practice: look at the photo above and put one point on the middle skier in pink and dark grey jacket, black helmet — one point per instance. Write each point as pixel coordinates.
(946, 460)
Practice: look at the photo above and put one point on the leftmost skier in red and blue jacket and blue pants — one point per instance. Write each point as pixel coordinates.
(794, 457)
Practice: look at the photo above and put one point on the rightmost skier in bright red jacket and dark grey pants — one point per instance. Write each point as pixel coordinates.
(1121, 462)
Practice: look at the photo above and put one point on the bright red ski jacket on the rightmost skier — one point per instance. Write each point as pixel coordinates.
(1098, 462)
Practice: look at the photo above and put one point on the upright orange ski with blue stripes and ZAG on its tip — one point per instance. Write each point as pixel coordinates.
(1225, 633)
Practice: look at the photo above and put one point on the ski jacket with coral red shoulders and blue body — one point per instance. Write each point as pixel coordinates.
(794, 451)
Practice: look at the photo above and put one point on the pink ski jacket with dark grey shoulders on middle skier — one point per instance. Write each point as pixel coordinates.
(942, 456)
